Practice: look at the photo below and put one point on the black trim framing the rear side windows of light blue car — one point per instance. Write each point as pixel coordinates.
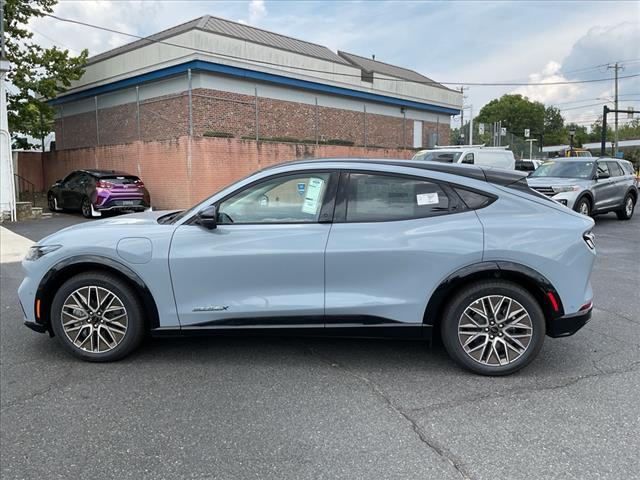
(456, 204)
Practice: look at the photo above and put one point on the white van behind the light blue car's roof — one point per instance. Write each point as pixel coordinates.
(496, 157)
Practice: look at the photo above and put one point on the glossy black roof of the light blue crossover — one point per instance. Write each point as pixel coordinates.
(501, 177)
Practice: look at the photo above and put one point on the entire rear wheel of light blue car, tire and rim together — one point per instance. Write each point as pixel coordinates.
(493, 328)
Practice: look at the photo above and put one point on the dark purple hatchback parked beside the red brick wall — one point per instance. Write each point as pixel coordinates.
(96, 191)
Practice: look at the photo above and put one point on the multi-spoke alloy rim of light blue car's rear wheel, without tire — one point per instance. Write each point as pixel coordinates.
(495, 330)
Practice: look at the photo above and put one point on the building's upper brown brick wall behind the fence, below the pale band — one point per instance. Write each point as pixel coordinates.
(217, 111)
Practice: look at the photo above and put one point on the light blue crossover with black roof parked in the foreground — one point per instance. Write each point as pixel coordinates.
(376, 248)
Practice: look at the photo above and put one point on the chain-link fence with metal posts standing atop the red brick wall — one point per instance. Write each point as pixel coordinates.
(151, 111)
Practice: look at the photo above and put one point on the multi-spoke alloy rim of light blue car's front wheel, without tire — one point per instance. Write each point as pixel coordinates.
(94, 319)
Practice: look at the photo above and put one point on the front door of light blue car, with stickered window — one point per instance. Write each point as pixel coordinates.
(263, 264)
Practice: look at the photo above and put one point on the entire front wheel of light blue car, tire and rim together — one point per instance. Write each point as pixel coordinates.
(97, 317)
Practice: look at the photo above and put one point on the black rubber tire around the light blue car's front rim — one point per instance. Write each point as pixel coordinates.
(136, 322)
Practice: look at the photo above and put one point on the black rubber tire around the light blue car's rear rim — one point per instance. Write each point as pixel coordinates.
(456, 307)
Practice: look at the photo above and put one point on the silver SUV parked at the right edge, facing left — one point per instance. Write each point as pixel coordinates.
(589, 185)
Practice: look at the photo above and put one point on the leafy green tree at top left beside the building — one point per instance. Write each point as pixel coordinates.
(36, 73)
